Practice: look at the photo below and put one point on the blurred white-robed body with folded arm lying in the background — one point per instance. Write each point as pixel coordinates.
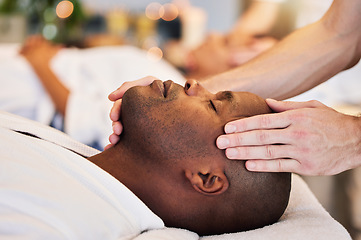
(67, 88)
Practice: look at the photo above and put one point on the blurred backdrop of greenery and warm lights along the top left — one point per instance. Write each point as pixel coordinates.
(122, 21)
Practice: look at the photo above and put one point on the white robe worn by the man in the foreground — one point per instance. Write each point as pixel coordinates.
(49, 192)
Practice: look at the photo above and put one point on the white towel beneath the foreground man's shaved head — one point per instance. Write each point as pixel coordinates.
(304, 218)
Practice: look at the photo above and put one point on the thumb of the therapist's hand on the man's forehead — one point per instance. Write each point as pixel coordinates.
(281, 106)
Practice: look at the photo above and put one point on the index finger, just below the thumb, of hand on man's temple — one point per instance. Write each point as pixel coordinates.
(266, 121)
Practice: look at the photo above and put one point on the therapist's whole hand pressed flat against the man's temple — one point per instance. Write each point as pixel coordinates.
(308, 138)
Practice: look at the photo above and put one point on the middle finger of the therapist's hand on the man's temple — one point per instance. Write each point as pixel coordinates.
(256, 137)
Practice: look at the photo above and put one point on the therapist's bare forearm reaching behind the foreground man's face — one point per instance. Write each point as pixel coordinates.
(301, 61)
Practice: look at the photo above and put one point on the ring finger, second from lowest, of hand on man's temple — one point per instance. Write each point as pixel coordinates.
(259, 152)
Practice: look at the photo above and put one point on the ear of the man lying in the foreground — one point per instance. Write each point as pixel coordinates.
(213, 182)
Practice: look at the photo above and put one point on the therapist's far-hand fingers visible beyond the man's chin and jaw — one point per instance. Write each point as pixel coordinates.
(116, 97)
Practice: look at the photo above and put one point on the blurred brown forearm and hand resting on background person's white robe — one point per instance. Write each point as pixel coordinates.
(39, 53)
